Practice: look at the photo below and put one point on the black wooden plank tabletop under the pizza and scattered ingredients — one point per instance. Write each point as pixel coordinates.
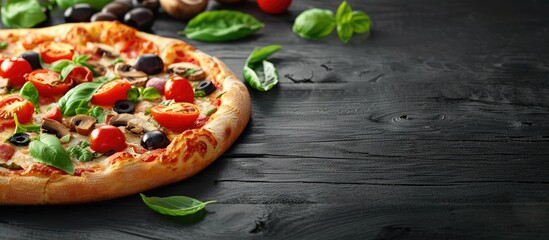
(434, 127)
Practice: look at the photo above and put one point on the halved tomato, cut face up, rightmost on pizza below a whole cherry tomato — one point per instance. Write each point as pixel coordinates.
(177, 117)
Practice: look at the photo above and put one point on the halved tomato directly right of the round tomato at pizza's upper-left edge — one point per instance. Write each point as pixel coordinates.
(47, 82)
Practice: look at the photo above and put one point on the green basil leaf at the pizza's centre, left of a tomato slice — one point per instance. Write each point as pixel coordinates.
(77, 97)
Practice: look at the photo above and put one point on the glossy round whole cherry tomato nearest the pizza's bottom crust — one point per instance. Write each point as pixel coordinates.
(107, 138)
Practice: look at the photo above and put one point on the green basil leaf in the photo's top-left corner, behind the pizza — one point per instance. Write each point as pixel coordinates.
(22, 13)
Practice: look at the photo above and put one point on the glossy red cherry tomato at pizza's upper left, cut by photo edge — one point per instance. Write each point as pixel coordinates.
(14, 69)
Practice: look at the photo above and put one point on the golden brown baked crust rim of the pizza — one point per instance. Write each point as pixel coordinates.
(126, 174)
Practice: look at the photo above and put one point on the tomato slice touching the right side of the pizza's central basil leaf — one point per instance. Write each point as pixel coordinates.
(111, 92)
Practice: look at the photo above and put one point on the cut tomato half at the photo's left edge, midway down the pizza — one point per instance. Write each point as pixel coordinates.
(15, 104)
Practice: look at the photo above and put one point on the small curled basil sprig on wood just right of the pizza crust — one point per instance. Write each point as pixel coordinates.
(260, 73)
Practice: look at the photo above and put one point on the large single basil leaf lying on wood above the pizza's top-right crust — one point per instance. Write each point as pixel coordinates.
(221, 26)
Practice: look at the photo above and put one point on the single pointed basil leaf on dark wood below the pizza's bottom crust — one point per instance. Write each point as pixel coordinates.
(174, 205)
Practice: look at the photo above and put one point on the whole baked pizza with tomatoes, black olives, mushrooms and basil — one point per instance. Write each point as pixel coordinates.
(96, 111)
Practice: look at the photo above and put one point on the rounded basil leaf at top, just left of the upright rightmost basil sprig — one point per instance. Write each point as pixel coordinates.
(314, 24)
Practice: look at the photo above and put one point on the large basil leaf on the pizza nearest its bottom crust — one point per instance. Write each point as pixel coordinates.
(48, 150)
